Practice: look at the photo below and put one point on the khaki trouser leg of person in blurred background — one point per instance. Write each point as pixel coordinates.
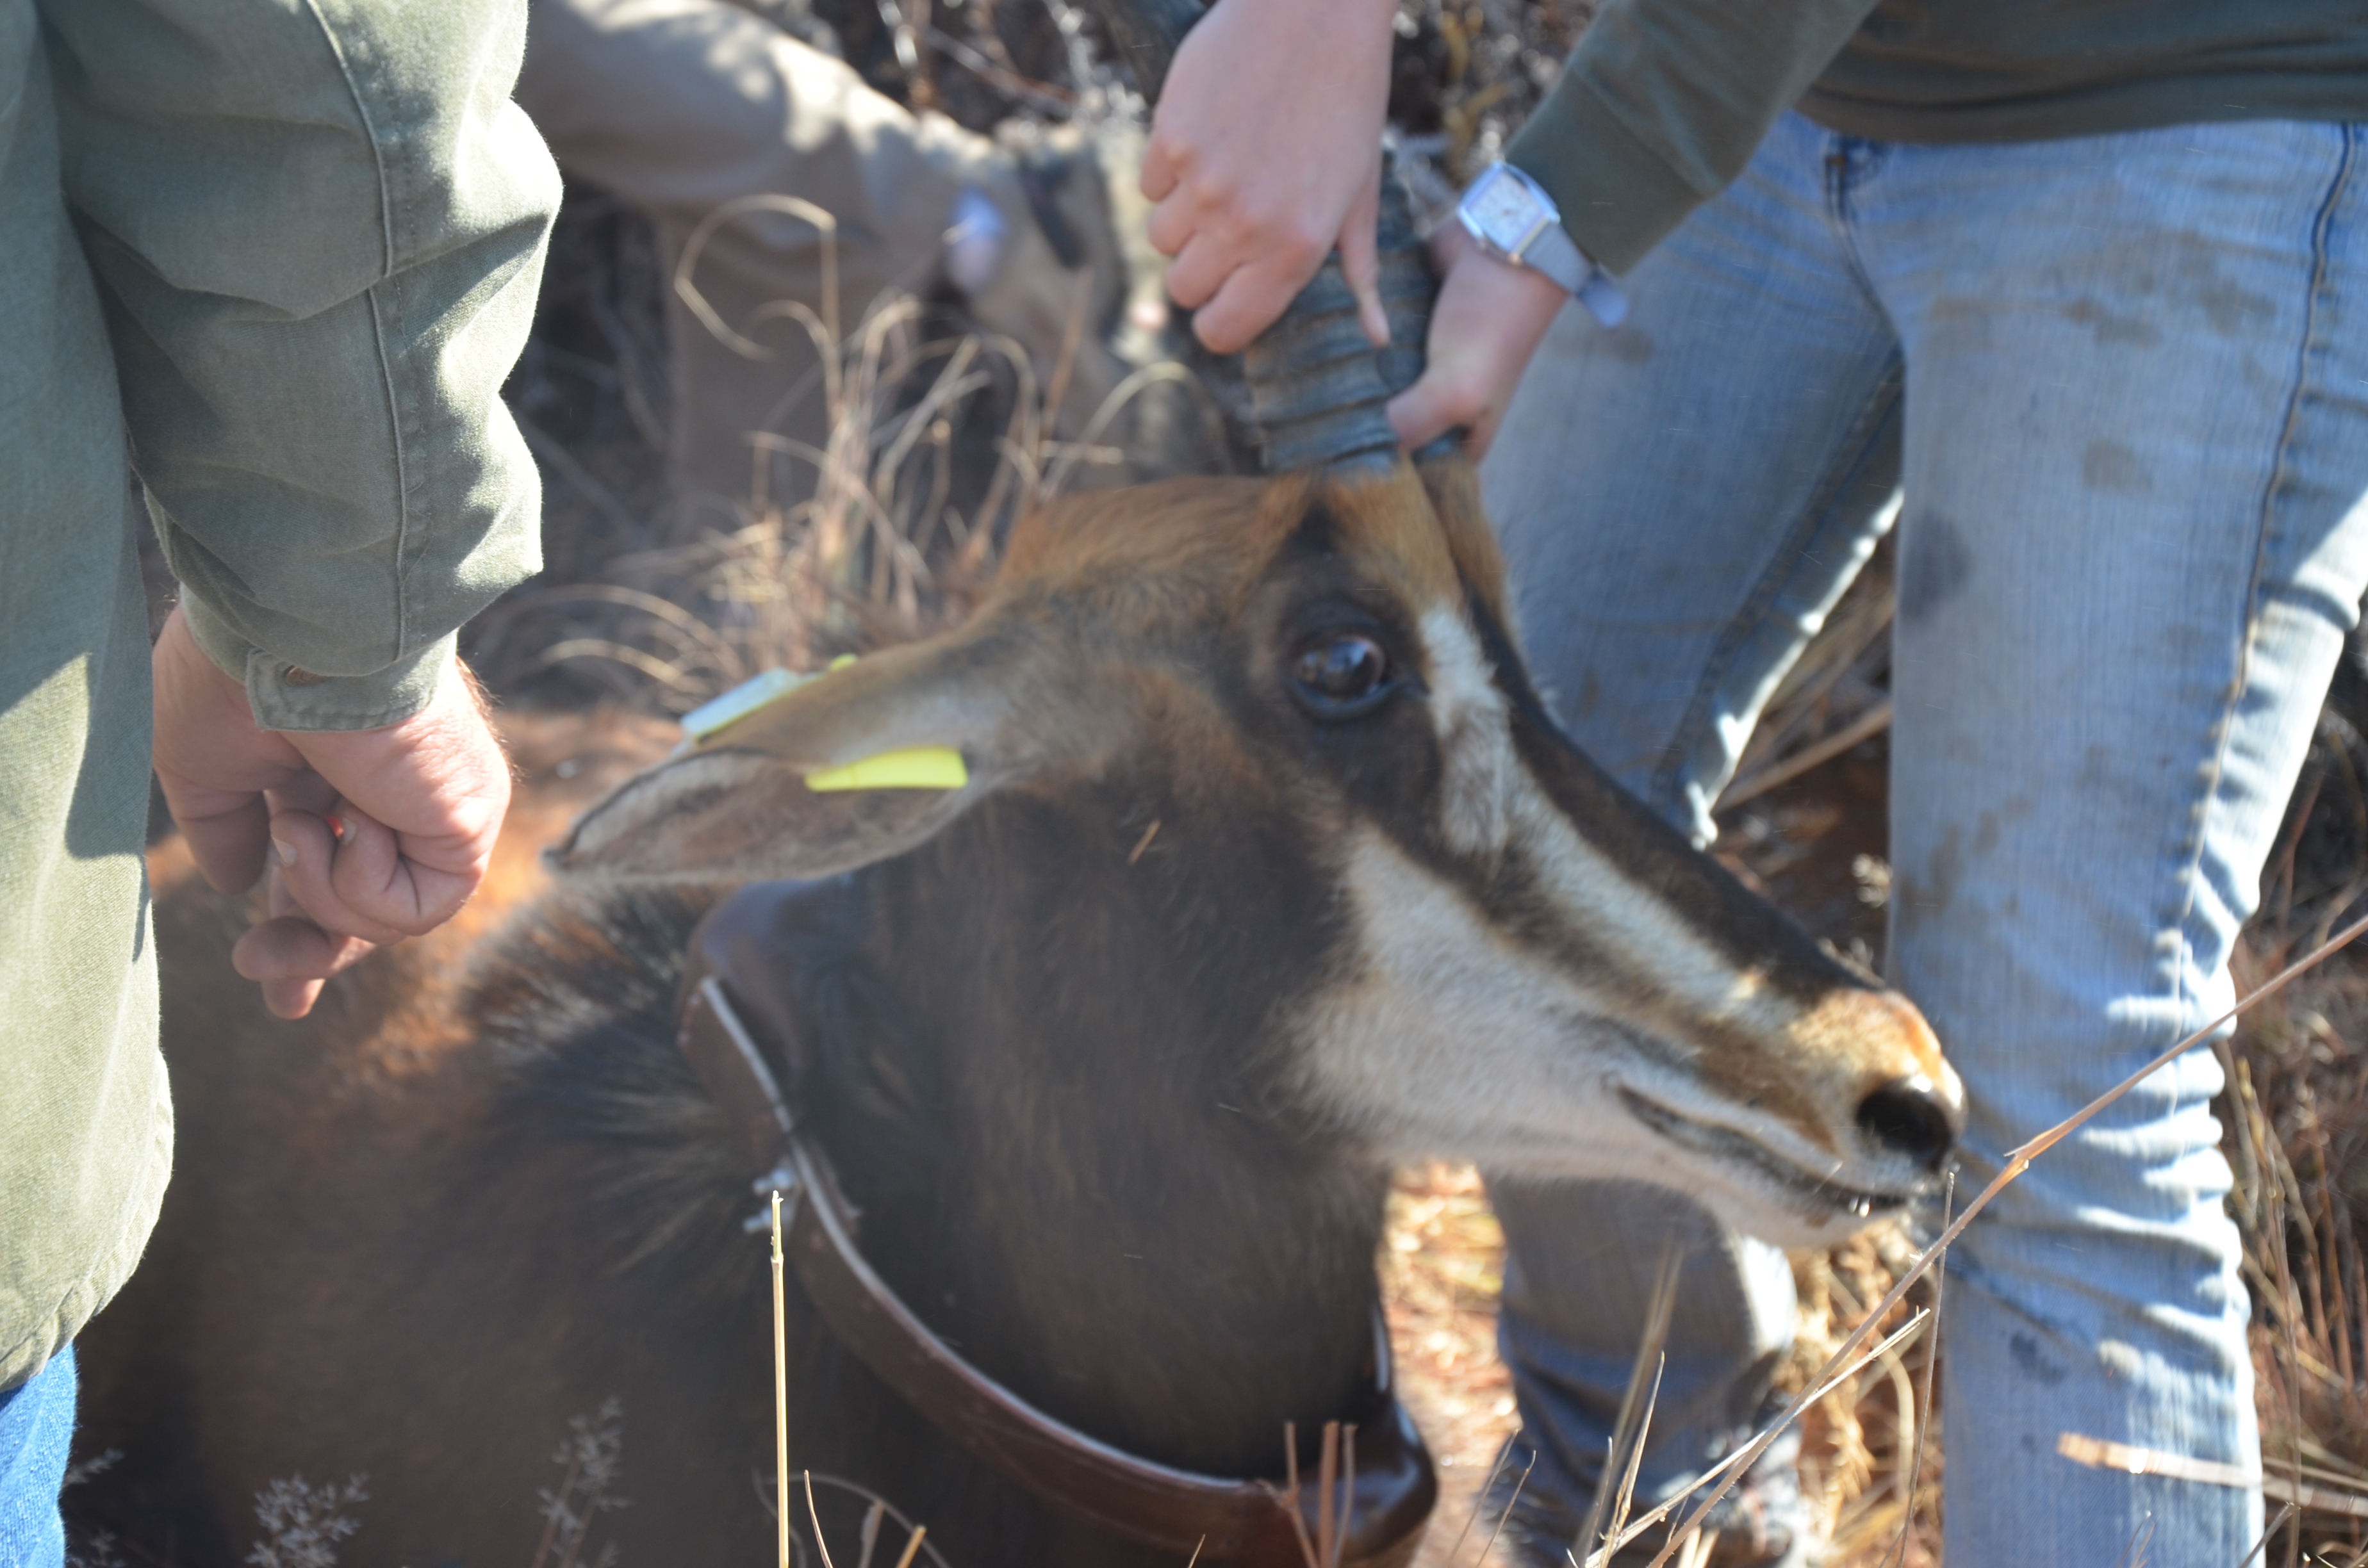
(686, 105)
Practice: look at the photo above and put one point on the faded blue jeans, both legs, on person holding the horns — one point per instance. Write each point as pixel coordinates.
(2123, 390)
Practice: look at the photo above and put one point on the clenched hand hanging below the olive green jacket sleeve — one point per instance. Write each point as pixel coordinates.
(420, 807)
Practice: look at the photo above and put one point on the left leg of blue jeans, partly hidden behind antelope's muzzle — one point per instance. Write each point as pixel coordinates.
(1680, 501)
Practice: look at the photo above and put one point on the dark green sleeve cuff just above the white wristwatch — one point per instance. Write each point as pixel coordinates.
(1616, 193)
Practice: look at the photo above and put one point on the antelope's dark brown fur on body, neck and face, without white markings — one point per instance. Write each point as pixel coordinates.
(480, 1195)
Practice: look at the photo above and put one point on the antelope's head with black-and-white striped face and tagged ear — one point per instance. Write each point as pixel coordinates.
(1519, 963)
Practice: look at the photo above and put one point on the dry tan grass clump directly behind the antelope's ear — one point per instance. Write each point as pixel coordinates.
(937, 444)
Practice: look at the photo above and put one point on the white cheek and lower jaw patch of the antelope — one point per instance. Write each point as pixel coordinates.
(1453, 1041)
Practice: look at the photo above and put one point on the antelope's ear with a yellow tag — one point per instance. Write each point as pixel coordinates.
(740, 807)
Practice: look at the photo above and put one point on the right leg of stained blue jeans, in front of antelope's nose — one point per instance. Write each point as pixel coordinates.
(2135, 536)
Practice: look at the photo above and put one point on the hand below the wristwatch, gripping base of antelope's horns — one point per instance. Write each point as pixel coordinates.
(1484, 330)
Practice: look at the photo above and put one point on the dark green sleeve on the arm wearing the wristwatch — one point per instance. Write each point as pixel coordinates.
(1664, 105)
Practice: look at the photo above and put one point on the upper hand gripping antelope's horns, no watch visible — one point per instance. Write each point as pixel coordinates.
(1266, 153)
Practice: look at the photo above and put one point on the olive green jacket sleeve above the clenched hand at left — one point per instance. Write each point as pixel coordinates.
(318, 231)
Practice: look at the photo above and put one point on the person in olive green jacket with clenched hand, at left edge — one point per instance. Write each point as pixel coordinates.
(274, 262)
